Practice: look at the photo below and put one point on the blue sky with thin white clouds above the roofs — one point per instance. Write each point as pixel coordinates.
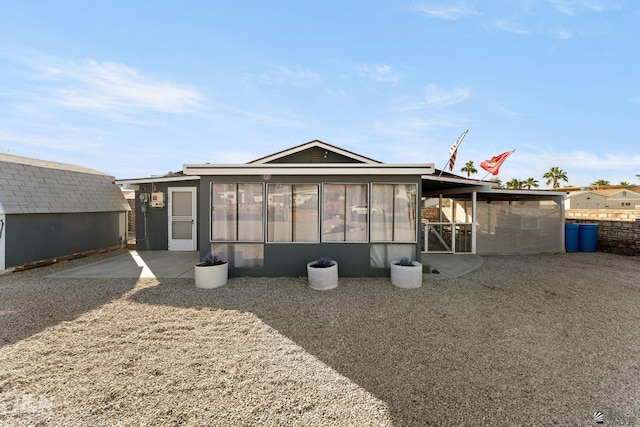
(139, 88)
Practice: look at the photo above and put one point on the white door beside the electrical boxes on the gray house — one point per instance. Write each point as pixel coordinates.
(182, 218)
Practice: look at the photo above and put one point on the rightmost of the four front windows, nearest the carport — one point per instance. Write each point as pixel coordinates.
(395, 205)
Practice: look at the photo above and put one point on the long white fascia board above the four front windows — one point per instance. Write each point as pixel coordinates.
(310, 169)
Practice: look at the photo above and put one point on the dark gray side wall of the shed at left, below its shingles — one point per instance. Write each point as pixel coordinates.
(36, 237)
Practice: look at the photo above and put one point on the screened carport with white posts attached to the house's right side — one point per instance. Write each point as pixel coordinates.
(468, 216)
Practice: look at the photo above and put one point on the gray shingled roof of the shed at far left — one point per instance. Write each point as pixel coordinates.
(29, 186)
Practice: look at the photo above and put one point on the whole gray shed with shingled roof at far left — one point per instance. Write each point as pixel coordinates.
(50, 210)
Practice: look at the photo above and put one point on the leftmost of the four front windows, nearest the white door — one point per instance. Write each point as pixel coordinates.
(236, 212)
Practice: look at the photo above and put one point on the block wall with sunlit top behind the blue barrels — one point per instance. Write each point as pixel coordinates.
(618, 229)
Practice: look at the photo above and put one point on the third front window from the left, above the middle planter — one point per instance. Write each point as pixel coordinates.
(345, 212)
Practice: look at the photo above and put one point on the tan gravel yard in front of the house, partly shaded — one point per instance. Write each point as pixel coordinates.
(523, 340)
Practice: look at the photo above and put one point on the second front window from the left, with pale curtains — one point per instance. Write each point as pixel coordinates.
(292, 212)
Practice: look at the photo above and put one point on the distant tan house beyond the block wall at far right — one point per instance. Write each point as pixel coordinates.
(608, 198)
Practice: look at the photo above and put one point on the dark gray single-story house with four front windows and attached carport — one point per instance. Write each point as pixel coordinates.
(271, 216)
